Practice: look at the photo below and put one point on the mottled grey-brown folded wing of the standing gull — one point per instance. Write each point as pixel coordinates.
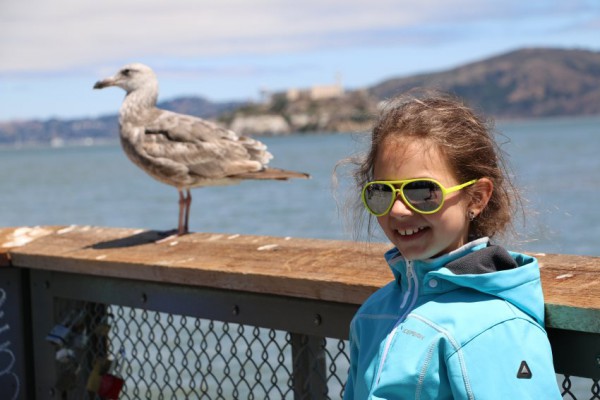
(204, 148)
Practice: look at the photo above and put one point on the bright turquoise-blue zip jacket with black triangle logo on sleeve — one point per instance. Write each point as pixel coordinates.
(466, 325)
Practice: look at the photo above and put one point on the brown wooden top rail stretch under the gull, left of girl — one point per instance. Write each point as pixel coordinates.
(314, 269)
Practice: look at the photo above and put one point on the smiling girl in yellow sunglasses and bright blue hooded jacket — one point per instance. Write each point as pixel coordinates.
(463, 319)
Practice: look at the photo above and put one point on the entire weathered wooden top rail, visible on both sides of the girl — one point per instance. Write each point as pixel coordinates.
(327, 270)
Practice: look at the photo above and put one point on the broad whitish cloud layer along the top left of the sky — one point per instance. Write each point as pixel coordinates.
(37, 35)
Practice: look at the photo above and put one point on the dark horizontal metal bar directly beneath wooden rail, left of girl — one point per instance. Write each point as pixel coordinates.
(311, 317)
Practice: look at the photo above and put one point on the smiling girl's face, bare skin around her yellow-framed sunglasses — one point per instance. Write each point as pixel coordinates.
(419, 236)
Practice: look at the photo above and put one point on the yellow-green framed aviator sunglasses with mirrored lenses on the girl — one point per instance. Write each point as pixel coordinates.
(422, 195)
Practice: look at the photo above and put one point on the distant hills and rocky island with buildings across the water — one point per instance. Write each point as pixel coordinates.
(526, 83)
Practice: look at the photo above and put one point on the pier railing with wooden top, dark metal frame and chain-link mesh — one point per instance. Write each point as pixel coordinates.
(87, 312)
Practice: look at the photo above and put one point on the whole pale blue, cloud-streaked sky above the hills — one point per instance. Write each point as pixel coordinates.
(52, 52)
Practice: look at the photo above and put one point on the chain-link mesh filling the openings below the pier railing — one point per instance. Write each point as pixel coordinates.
(139, 354)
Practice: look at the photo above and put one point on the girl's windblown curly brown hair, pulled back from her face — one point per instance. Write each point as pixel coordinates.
(467, 141)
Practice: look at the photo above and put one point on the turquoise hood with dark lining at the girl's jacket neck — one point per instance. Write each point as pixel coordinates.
(480, 266)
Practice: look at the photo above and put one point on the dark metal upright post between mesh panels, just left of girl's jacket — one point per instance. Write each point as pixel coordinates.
(309, 369)
